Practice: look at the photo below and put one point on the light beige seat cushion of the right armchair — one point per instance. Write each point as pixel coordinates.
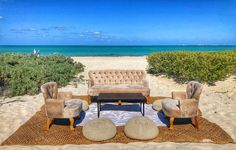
(170, 107)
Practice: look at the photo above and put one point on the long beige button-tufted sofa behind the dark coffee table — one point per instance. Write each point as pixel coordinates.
(117, 81)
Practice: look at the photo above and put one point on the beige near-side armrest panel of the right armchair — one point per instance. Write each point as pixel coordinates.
(188, 107)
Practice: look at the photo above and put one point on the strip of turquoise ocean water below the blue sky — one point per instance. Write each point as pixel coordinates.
(110, 50)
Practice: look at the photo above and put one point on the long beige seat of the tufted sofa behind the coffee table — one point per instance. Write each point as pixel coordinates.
(119, 88)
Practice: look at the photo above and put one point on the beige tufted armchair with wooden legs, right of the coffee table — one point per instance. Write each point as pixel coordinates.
(183, 104)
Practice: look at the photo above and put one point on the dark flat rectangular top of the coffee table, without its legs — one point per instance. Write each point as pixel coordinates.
(121, 96)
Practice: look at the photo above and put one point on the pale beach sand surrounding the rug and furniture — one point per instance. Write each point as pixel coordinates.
(217, 104)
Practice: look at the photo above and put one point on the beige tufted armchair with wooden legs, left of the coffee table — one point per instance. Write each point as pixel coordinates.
(59, 104)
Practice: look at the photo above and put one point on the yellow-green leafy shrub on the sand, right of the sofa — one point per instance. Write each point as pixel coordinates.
(205, 67)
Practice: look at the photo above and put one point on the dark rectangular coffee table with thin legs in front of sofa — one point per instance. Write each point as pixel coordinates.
(120, 98)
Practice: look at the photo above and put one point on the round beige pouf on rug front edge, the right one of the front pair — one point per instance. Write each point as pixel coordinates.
(141, 128)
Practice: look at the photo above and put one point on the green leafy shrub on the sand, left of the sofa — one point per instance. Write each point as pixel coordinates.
(24, 74)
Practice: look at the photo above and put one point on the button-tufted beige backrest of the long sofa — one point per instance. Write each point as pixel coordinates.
(108, 77)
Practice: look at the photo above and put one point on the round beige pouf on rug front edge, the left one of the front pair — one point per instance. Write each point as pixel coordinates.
(99, 129)
